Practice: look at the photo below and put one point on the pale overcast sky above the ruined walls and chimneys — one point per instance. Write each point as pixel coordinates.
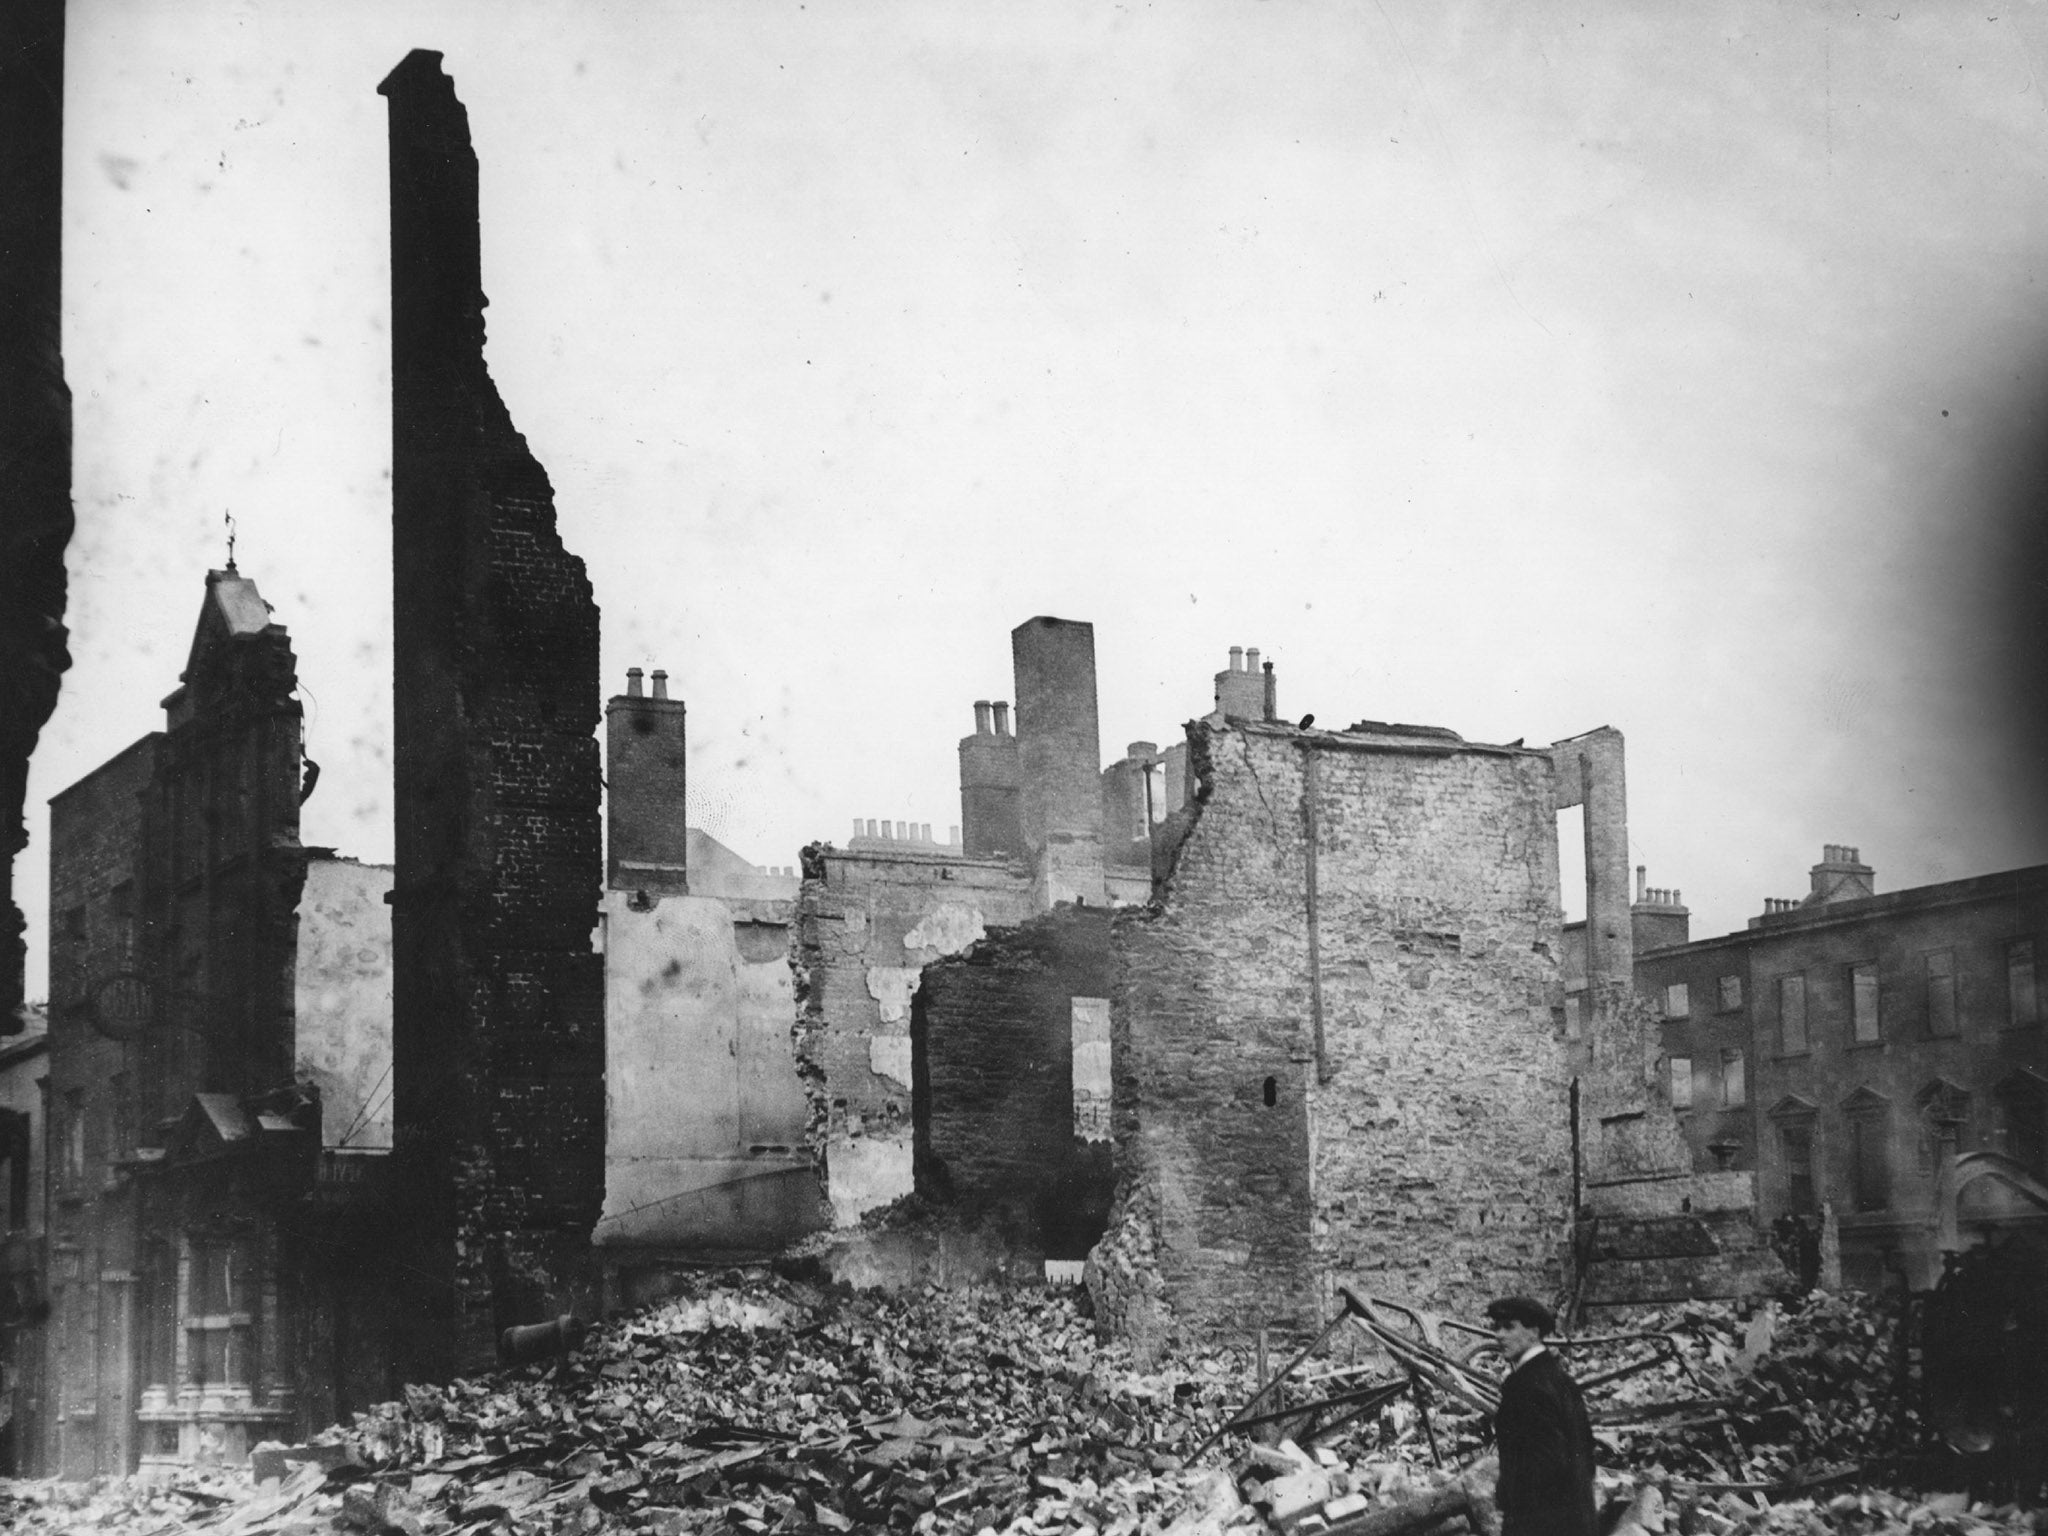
(1508, 368)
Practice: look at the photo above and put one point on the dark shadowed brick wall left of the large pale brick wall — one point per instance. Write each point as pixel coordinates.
(994, 1082)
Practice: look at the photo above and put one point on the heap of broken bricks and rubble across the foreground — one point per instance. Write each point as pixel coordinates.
(753, 1404)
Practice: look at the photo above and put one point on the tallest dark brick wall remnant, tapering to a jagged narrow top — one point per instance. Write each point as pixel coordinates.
(499, 1007)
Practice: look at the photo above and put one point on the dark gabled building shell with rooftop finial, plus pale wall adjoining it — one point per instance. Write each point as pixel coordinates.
(212, 1084)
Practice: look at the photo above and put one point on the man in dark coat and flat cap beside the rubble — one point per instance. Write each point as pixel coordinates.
(1543, 1433)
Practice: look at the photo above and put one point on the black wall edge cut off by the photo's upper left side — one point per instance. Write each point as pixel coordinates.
(36, 433)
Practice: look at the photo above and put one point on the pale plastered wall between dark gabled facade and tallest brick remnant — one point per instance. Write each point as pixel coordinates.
(343, 1000)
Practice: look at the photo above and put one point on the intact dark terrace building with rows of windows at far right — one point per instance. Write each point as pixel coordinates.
(1842, 1041)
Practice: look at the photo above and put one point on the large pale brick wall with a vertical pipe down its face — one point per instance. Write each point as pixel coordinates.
(1416, 1142)
